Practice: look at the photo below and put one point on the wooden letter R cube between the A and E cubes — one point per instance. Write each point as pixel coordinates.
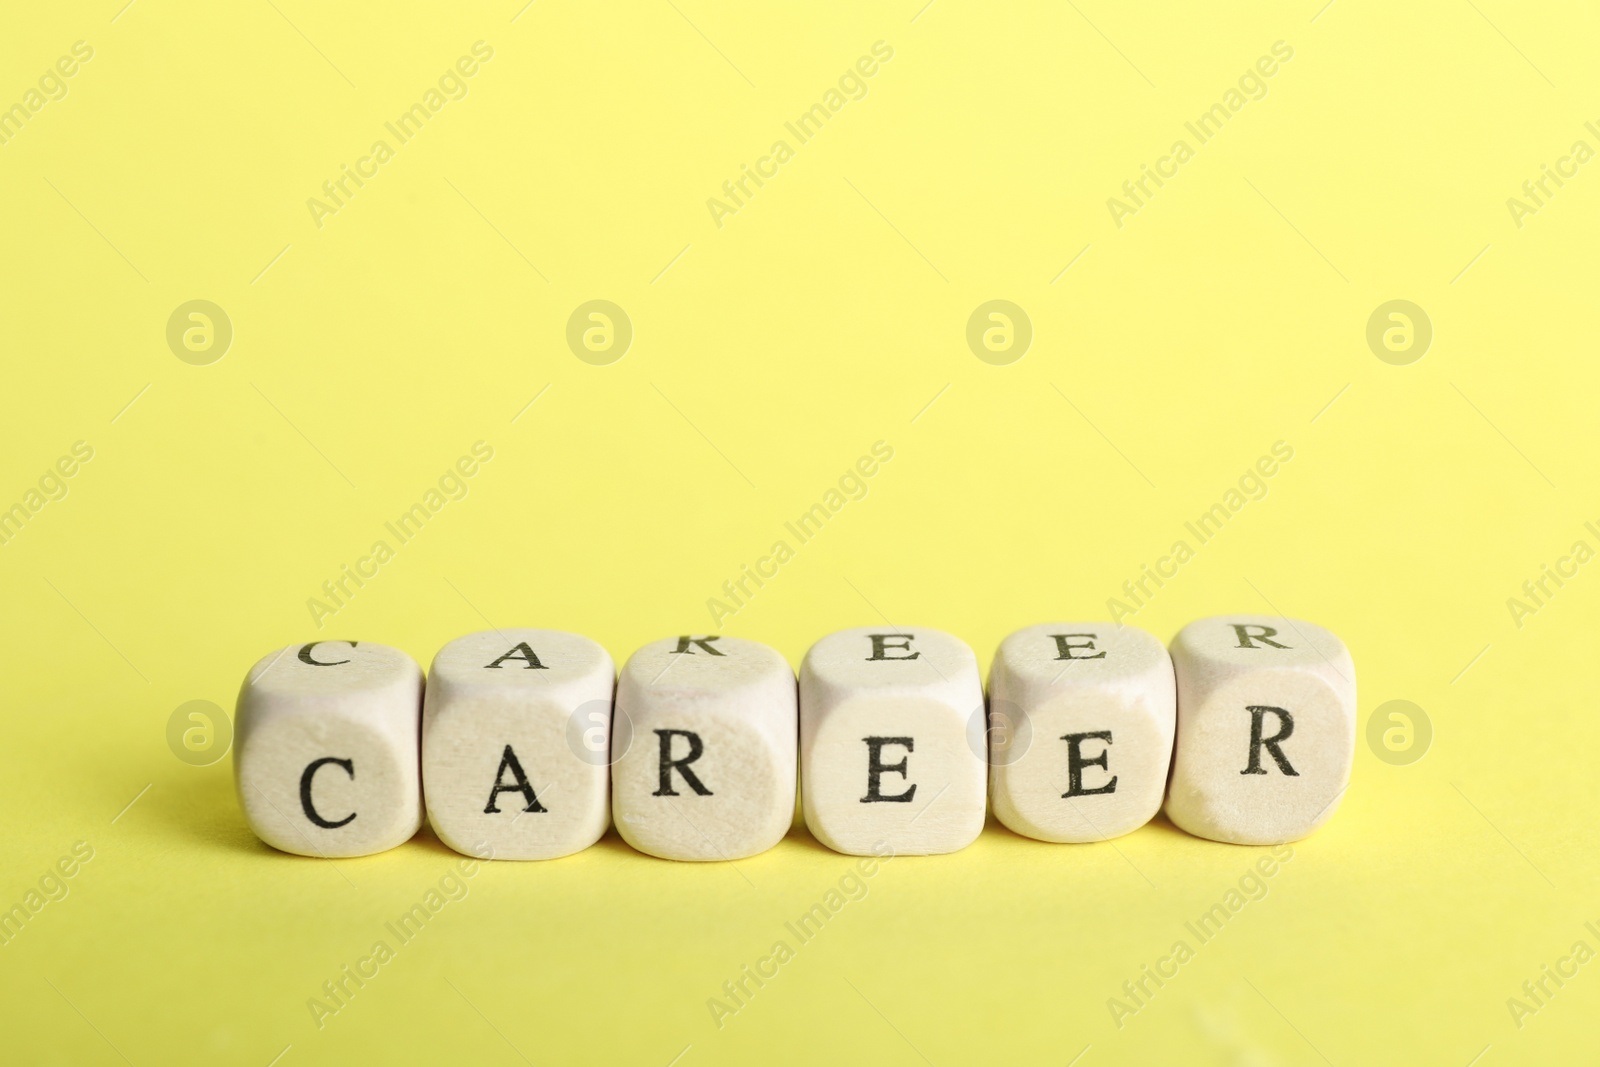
(711, 769)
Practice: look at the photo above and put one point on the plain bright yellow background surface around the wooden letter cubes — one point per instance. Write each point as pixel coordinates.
(769, 354)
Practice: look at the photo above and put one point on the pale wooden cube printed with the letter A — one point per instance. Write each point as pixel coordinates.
(516, 743)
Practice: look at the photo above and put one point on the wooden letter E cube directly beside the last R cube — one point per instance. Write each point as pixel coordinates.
(1082, 719)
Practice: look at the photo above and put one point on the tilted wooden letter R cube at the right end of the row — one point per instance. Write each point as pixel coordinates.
(1266, 729)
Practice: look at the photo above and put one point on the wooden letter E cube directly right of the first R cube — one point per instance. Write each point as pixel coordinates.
(892, 746)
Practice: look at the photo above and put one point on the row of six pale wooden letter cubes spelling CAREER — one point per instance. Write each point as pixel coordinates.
(527, 743)
